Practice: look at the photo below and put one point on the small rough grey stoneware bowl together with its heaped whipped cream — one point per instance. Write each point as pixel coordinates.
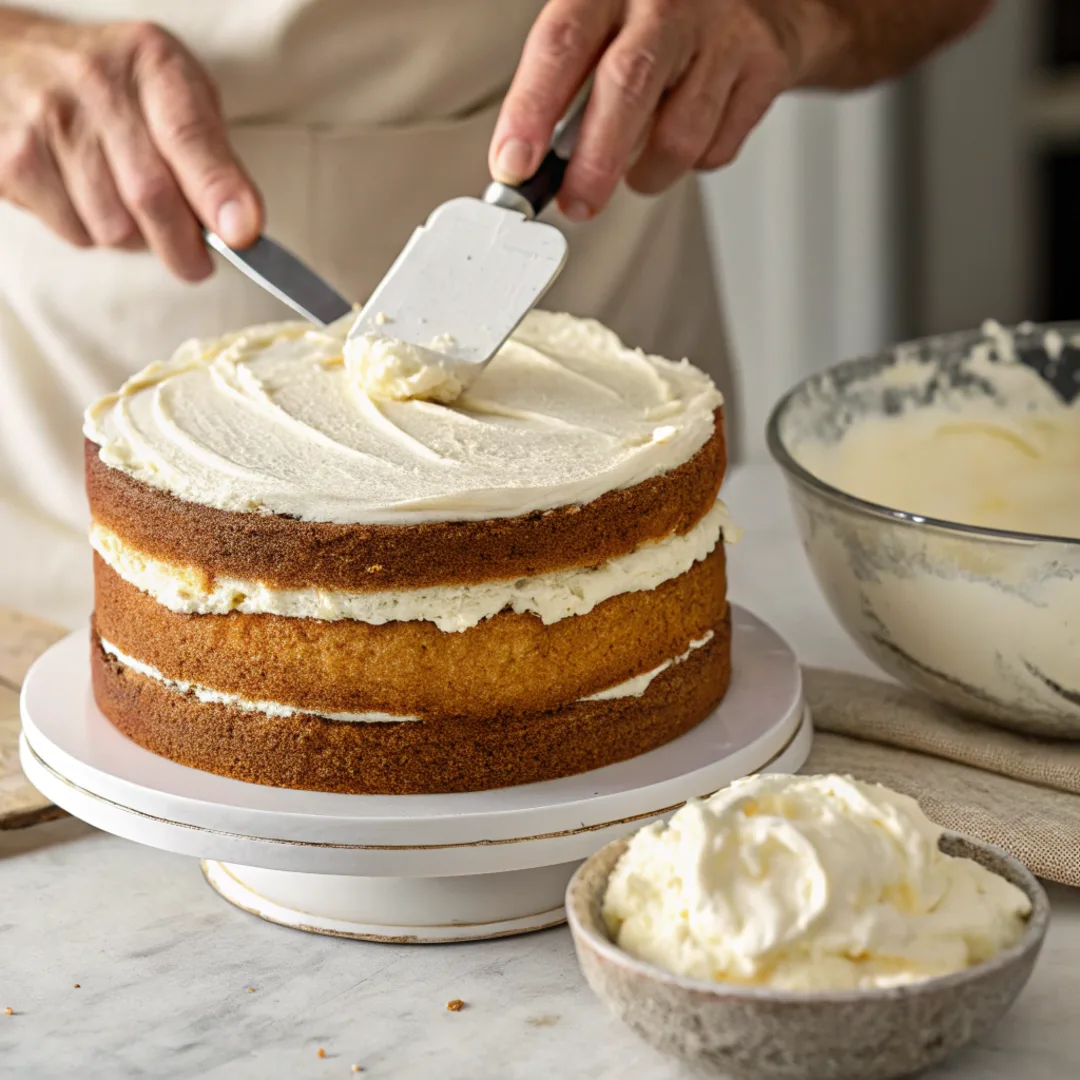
(802, 928)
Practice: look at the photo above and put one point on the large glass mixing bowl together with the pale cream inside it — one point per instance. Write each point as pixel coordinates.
(937, 489)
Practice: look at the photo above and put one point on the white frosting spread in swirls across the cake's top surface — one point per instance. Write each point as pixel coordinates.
(273, 421)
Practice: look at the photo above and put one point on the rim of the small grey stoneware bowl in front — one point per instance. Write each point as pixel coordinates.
(1030, 942)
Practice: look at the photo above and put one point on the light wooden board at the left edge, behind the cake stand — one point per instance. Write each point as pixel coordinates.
(23, 640)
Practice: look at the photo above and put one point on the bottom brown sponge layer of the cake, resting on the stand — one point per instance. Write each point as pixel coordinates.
(412, 759)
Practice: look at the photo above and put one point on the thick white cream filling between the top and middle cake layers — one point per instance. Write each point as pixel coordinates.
(550, 597)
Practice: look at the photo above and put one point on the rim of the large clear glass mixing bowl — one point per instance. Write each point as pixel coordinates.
(787, 460)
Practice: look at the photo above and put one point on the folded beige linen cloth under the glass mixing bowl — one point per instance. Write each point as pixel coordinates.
(1018, 792)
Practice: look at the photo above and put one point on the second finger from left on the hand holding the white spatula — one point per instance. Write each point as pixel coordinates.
(631, 77)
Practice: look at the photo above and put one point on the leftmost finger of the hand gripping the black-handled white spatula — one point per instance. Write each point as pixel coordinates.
(562, 49)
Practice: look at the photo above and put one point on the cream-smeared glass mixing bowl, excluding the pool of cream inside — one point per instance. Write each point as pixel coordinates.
(985, 622)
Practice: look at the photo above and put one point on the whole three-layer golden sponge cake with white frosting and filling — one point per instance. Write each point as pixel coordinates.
(300, 586)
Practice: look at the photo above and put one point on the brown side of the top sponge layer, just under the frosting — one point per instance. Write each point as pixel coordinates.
(288, 553)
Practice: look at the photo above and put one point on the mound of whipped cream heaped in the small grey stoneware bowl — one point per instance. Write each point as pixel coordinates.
(807, 884)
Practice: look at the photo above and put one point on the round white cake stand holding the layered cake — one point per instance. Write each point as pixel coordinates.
(400, 868)
